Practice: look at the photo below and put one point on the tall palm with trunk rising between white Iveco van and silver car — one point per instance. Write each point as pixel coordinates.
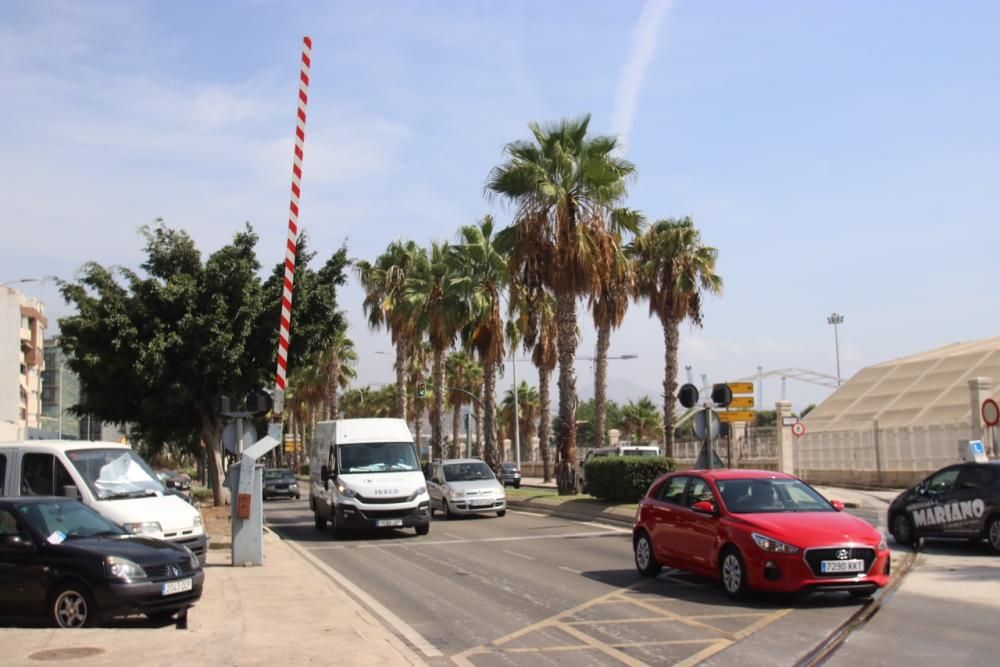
(434, 303)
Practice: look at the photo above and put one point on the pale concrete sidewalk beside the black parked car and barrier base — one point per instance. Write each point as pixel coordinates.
(286, 612)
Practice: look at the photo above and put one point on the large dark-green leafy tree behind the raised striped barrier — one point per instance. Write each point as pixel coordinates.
(155, 347)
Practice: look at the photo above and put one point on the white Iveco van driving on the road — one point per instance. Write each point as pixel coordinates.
(364, 473)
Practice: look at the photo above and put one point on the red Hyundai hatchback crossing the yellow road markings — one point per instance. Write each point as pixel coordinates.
(757, 530)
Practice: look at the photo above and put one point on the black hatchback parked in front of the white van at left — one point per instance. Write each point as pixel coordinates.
(62, 559)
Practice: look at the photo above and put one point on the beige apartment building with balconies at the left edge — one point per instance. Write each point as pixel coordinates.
(22, 360)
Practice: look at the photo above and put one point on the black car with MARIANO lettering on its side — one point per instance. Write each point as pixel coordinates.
(961, 500)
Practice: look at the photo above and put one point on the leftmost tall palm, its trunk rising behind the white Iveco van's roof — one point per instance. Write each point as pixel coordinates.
(384, 283)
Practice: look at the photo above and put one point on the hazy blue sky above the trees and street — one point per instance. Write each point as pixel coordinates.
(843, 156)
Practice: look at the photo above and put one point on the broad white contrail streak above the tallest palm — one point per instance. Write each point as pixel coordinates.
(640, 54)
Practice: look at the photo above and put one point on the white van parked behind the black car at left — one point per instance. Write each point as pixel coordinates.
(110, 478)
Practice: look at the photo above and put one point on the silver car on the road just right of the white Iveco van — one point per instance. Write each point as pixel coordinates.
(465, 486)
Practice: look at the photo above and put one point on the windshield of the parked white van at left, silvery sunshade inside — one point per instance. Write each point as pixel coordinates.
(115, 473)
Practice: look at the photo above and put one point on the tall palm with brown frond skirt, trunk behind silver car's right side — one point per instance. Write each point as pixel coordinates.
(482, 281)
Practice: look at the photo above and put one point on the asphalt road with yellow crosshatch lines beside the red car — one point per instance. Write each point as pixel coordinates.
(535, 589)
